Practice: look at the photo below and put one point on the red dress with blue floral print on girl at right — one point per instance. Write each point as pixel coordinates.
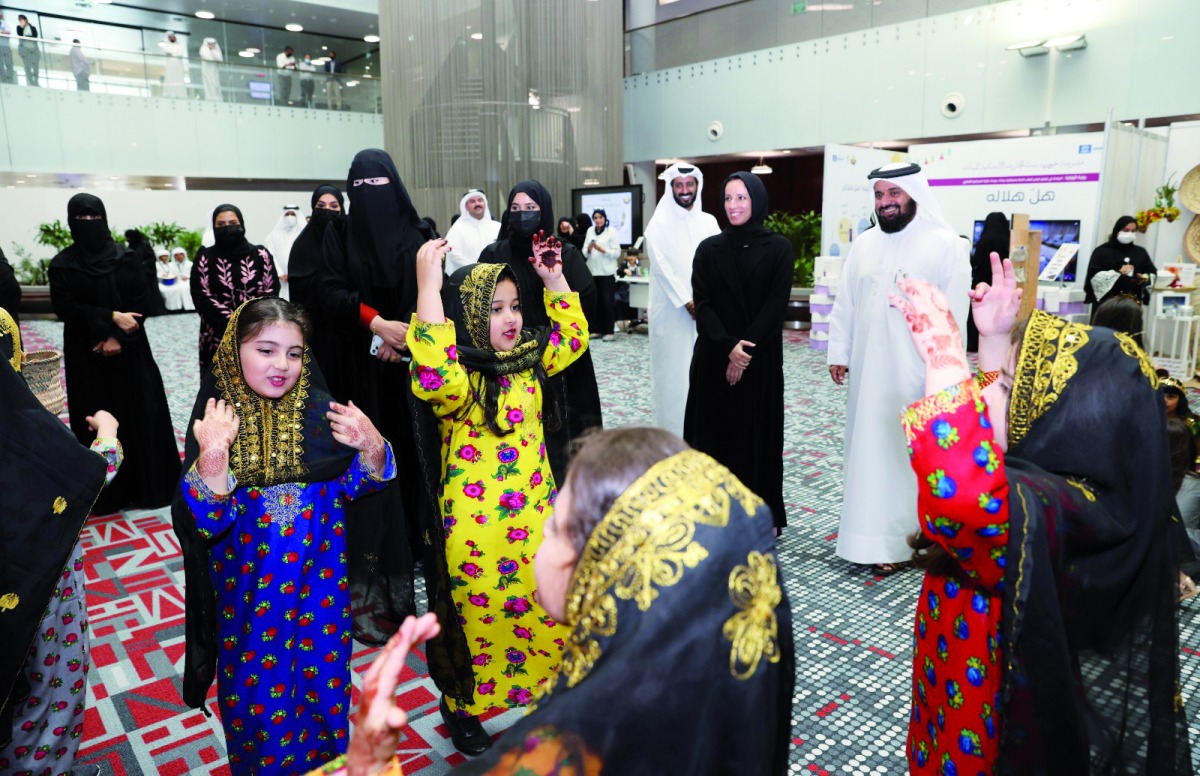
(955, 726)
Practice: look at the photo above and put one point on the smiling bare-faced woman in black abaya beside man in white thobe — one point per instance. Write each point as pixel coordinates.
(741, 282)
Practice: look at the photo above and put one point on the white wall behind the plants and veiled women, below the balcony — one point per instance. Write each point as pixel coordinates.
(26, 208)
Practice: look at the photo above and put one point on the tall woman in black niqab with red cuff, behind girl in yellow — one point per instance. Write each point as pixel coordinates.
(369, 290)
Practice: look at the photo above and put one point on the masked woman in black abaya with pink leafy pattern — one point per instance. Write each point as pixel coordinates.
(229, 273)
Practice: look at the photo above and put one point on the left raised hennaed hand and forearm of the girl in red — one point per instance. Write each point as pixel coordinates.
(935, 334)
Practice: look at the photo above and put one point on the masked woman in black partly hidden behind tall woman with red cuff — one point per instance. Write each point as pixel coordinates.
(304, 274)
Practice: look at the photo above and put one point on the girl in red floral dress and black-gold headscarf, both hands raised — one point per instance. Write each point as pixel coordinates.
(1047, 635)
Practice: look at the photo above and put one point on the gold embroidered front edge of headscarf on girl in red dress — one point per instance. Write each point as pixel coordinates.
(1046, 365)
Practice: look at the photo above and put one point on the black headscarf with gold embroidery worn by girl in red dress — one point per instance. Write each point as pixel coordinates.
(1090, 621)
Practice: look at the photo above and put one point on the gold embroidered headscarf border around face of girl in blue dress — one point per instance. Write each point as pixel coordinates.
(271, 432)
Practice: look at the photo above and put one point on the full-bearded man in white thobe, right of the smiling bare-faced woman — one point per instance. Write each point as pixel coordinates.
(871, 345)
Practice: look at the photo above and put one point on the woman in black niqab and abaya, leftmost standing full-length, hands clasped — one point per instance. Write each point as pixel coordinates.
(99, 291)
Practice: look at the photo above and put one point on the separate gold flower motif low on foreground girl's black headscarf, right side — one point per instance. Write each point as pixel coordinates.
(754, 630)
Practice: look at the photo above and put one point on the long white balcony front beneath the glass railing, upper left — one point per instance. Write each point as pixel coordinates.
(57, 131)
